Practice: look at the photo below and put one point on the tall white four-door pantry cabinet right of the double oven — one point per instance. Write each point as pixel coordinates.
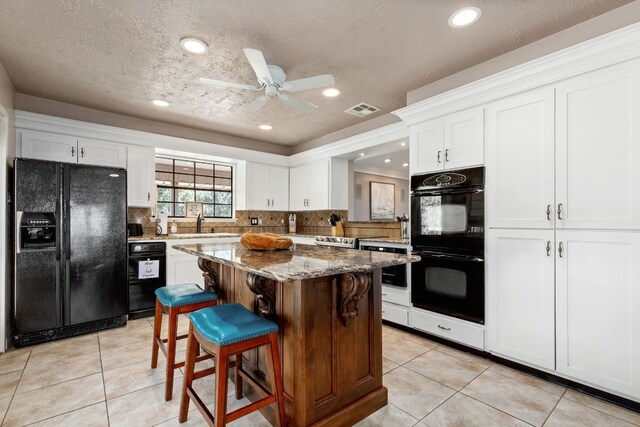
(563, 238)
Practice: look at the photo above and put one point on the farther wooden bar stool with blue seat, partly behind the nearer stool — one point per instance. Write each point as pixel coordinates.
(175, 300)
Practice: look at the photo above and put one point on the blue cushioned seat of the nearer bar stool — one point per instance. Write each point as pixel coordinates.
(230, 323)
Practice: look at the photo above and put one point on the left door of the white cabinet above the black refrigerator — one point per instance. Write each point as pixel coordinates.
(49, 146)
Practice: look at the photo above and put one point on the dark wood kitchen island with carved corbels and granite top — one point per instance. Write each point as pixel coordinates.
(327, 304)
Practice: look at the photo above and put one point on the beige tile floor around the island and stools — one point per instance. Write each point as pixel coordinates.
(429, 384)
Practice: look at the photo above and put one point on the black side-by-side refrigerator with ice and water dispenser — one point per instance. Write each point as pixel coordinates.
(71, 250)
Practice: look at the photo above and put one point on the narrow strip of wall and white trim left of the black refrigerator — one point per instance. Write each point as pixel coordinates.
(7, 154)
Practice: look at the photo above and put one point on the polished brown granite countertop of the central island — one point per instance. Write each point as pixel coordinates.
(296, 263)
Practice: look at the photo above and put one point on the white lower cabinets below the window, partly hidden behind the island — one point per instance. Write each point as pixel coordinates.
(183, 267)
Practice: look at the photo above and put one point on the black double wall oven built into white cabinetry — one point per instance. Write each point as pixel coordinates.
(447, 232)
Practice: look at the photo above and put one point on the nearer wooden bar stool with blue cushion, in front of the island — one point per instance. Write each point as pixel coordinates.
(223, 331)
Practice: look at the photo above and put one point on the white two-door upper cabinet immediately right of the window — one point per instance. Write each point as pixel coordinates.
(267, 187)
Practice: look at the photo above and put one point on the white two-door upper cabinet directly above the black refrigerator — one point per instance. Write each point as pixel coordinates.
(70, 149)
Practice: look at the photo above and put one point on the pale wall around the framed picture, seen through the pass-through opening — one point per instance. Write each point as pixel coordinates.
(362, 204)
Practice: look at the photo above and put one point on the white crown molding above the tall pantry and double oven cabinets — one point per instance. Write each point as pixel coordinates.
(602, 51)
